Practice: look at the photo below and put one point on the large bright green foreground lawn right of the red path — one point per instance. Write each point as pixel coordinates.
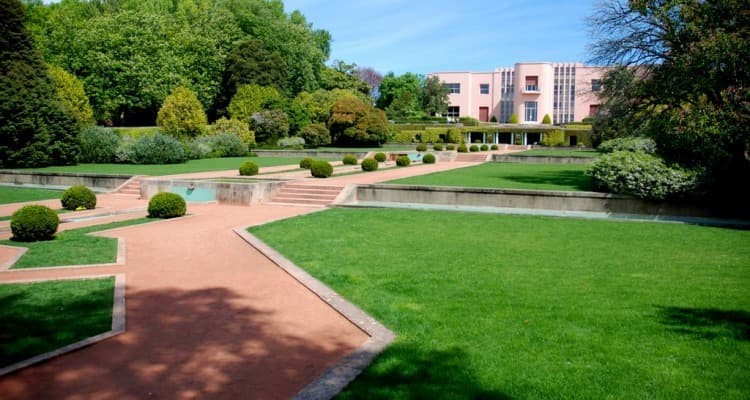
(497, 307)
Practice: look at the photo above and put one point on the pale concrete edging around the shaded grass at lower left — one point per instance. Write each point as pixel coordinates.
(117, 327)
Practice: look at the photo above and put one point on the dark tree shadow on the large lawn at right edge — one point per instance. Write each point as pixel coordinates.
(707, 323)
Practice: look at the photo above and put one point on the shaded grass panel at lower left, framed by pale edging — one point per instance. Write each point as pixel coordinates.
(44, 316)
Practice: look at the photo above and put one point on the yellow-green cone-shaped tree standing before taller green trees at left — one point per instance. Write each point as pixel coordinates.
(182, 115)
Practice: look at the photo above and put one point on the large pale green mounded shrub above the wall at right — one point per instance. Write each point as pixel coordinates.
(640, 174)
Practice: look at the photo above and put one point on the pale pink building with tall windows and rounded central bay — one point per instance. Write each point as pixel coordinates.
(566, 92)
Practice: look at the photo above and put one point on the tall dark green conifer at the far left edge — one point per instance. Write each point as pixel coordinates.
(35, 130)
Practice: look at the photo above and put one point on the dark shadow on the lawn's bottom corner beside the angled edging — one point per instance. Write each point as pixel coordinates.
(409, 372)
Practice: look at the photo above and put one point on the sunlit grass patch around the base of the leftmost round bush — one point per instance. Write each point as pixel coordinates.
(73, 247)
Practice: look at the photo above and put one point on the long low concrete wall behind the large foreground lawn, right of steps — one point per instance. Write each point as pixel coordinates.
(515, 198)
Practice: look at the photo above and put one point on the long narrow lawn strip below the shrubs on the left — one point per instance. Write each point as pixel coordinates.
(204, 165)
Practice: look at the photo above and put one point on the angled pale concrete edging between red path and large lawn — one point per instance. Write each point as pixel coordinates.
(331, 382)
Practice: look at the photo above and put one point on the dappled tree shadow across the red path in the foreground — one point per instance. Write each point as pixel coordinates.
(206, 343)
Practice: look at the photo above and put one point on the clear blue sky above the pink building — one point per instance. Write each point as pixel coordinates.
(425, 36)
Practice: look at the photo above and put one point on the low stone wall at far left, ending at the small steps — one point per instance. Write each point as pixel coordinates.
(60, 180)
